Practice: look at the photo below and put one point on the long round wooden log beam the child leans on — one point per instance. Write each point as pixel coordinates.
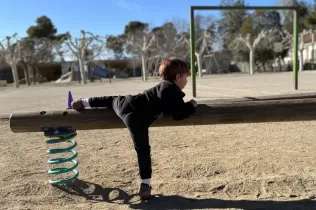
(295, 107)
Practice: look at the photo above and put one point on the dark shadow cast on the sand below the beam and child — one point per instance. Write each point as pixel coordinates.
(97, 193)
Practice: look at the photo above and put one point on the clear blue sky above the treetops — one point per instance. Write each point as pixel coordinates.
(100, 17)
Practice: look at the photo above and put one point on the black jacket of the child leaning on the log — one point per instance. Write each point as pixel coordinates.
(165, 98)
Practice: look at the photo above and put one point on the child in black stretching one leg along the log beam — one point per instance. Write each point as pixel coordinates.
(139, 111)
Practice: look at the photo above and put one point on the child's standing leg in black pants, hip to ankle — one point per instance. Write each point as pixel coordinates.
(138, 126)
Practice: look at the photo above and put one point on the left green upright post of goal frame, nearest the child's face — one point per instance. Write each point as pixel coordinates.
(192, 50)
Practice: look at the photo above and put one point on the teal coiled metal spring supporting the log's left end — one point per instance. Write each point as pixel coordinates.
(60, 135)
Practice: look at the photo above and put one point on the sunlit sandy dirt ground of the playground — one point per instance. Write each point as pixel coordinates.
(242, 166)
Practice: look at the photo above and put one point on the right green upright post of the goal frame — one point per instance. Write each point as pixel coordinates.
(295, 48)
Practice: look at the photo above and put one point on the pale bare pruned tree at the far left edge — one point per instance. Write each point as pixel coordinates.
(12, 55)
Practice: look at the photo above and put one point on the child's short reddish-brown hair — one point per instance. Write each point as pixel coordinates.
(170, 67)
